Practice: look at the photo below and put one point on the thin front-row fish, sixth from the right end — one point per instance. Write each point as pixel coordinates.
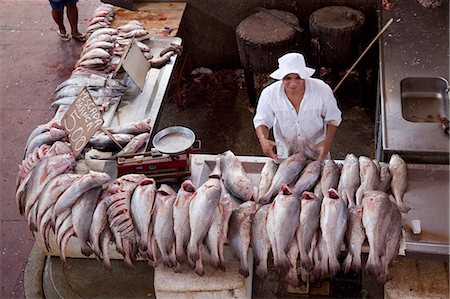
(260, 241)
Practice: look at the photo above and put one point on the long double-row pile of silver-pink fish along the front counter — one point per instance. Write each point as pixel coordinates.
(283, 215)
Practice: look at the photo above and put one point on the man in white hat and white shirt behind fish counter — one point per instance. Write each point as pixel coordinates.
(301, 110)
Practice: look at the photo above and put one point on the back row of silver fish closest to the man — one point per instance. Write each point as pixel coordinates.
(351, 178)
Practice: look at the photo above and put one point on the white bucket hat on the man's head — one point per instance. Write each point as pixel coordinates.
(292, 63)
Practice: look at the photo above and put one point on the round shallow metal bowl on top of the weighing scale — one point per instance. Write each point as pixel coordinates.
(173, 140)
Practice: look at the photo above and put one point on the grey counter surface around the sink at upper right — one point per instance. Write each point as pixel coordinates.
(415, 45)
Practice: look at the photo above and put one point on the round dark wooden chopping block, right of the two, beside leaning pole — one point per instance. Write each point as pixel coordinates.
(335, 31)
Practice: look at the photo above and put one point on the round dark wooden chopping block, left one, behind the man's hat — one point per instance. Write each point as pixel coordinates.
(261, 40)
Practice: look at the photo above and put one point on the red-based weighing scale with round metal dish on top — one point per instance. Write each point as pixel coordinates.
(169, 157)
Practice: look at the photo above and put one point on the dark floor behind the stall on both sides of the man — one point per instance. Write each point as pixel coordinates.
(218, 114)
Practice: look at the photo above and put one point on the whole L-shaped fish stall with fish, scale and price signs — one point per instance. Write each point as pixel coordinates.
(208, 224)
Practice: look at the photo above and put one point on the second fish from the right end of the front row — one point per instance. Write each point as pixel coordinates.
(354, 238)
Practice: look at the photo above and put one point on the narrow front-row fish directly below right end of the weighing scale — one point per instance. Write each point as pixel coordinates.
(181, 219)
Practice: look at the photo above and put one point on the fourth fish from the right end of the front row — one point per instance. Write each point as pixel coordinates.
(308, 226)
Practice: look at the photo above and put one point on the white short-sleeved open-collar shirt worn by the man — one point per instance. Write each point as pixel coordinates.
(291, 129)
